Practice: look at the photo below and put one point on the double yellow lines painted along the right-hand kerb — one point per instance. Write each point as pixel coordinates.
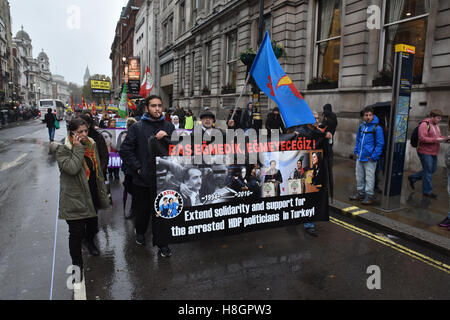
(388, 242)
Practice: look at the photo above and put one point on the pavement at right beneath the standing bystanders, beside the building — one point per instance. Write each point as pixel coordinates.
(418, 217)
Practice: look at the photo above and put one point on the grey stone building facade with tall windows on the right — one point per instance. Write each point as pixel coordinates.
(337, 51)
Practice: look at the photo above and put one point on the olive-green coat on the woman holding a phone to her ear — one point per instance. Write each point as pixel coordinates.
(75, 200)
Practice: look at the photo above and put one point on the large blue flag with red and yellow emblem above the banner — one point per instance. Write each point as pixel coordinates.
(274, 82)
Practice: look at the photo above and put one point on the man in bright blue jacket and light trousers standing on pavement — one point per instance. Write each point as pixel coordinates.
(368, 149)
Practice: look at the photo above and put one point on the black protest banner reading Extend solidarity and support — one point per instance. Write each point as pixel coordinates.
(213, 198)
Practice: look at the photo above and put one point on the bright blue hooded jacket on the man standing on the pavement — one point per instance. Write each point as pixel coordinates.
(369, 141)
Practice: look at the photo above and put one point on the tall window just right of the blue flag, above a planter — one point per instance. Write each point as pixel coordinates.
(328, 39)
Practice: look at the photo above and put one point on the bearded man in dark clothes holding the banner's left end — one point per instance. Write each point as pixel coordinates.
(137, 155)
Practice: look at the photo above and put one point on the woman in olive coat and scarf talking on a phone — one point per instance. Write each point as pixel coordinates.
(82, 190)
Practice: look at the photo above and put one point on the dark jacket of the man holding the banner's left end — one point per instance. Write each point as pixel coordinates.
(136, 151)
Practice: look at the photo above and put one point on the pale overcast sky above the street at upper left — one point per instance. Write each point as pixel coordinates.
(73, 33)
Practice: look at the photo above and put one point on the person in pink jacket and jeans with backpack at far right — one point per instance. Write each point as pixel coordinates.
(428, 147)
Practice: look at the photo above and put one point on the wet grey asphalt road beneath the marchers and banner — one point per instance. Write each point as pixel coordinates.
(282, 263)
